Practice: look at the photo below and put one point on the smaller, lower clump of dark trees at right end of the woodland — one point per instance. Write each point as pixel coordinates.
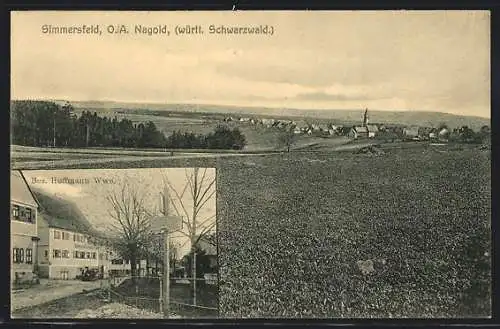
(222, 138)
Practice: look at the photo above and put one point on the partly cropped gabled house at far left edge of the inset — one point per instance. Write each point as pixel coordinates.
(23, 229)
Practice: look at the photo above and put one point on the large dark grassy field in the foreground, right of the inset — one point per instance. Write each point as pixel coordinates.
(292, 230)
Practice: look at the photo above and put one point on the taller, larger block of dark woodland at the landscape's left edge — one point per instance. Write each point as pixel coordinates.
(42, 123)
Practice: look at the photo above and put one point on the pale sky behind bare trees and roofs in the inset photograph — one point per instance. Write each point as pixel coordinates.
(90, 197)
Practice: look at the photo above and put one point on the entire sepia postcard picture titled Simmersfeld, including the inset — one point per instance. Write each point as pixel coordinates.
(352, 150)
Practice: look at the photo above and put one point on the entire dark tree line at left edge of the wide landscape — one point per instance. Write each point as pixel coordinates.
(44, 123)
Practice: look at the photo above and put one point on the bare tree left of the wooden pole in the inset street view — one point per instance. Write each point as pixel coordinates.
(131, 223)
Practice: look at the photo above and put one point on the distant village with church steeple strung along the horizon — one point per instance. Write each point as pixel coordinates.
(363, 130)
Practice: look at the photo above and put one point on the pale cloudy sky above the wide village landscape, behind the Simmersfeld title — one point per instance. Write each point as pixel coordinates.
(385, 60)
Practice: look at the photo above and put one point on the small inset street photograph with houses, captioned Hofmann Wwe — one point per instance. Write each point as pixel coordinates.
(132, 243)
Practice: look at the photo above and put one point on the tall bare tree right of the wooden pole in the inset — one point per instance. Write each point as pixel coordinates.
(201, 189)
